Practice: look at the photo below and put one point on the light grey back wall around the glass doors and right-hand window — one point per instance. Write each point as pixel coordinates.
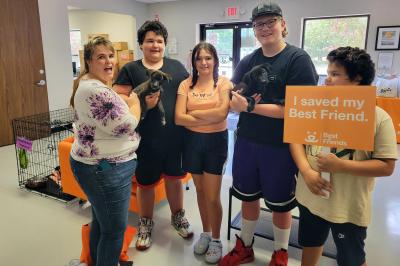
(181, 18)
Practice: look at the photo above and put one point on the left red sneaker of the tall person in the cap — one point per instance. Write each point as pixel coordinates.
(239, 254)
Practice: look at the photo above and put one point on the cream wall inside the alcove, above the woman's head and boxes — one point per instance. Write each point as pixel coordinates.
(120, 28)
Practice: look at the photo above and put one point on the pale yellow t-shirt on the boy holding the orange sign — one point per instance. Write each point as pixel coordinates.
(350, 201)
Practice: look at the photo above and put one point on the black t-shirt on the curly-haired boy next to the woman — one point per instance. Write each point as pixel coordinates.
(153, 133)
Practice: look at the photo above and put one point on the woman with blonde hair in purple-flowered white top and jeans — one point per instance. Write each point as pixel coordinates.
(103, 157)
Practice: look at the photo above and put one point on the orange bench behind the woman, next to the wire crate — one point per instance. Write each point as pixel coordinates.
(70, 186)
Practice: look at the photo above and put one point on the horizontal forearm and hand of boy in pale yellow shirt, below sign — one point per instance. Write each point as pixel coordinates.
(368, 168)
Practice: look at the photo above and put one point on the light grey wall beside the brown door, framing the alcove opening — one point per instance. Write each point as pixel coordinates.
(55, 37)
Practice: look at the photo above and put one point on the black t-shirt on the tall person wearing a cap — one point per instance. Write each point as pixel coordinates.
(292, 66)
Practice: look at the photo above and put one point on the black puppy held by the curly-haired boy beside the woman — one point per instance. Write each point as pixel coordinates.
(152, 85)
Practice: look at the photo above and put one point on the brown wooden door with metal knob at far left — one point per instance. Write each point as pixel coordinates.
(23, 89)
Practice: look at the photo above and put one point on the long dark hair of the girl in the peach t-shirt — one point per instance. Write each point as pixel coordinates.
(195, 54)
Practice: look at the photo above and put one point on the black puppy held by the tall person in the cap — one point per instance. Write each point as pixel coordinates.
(255, 81)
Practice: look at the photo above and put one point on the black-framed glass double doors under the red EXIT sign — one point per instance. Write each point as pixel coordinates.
(233, 41)
